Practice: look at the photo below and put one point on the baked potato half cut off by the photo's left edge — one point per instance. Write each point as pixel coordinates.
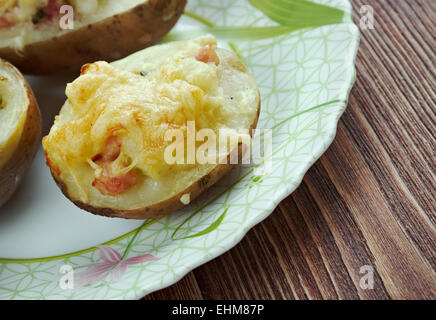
(20, 129)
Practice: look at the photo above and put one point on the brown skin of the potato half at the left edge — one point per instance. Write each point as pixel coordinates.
(12, 174)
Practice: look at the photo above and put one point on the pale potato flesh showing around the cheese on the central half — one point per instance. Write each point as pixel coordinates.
(240, 95)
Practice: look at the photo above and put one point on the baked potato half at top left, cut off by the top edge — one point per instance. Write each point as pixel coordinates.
(32, 39)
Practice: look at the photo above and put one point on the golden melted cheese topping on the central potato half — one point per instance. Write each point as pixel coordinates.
(107, 101)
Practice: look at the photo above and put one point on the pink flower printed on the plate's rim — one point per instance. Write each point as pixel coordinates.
(114, 266)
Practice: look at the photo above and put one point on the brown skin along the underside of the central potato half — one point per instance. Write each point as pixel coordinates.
(167, 206)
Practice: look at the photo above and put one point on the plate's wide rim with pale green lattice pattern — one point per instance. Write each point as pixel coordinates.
(304, 78)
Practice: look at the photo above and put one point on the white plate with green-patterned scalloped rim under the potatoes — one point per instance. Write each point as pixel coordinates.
(304, 77)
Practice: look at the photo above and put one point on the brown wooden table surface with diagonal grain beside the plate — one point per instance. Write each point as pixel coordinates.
(370, 199)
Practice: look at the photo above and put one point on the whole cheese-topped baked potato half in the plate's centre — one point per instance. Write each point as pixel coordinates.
(120, 146)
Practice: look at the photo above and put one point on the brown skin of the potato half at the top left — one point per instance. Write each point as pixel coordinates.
(109, 39)
